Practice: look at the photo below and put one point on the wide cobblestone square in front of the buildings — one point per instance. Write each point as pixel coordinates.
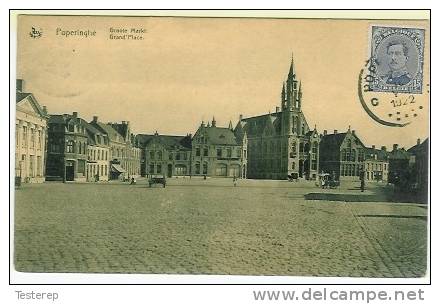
(211, 227)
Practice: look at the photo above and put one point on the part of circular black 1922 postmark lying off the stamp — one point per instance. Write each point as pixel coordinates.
(391, 109)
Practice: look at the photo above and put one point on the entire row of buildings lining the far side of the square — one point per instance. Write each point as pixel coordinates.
(271, 146)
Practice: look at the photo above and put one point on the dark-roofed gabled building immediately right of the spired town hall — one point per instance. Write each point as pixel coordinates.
(342, 155)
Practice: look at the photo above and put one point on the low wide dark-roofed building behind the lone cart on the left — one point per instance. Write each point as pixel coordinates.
(165, 154)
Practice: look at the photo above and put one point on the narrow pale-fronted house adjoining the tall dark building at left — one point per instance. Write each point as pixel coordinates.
(98, 155)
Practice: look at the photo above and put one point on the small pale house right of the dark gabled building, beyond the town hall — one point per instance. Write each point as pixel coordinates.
(376, 164)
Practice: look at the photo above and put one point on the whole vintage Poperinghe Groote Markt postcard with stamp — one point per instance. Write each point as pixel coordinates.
(221, 146)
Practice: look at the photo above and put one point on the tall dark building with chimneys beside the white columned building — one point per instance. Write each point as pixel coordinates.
(67, 148)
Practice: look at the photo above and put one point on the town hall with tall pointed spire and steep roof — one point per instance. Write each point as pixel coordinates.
(281, 144)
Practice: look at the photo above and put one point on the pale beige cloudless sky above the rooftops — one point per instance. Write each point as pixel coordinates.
(185, 70)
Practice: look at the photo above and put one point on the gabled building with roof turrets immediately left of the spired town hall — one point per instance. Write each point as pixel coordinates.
(219, 151)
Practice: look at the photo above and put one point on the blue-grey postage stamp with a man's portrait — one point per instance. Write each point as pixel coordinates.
(397, 59)
